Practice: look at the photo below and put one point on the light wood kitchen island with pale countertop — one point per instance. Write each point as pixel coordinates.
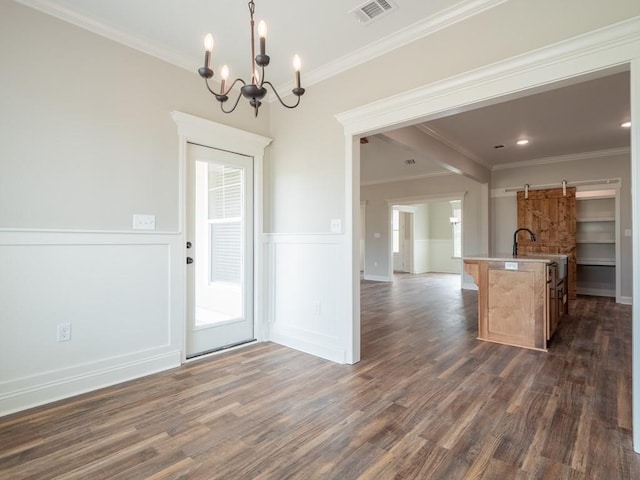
(520, 299)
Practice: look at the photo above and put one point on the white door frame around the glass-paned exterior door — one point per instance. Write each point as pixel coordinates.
(192, 129)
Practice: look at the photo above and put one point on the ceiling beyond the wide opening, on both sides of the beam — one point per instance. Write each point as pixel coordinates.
(560, 122)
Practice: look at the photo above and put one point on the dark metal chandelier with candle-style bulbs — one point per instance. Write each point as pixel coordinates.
(255, 90)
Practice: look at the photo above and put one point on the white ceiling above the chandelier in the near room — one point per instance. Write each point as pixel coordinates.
(327, 37)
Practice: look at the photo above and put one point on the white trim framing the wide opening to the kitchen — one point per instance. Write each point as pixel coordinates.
(613, 48)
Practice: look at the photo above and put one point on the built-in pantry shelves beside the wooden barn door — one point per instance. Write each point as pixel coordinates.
(597, 242)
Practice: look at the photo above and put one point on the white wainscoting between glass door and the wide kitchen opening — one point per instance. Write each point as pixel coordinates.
(307, 301)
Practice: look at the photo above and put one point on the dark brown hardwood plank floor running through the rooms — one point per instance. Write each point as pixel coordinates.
(427, 401)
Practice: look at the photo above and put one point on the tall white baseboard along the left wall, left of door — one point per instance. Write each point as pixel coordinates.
(22, 394)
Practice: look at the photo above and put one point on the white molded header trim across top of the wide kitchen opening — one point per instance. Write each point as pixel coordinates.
(613, 45)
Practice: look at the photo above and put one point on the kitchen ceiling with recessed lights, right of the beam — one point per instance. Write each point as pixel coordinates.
(583, 117)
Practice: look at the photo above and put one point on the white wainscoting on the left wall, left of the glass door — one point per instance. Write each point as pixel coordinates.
(119, 292)
